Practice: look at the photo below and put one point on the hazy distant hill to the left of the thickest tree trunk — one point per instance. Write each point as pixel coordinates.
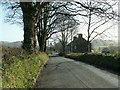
(11, 44)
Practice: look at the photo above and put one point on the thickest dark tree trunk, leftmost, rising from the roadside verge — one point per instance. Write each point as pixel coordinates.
(29, 26)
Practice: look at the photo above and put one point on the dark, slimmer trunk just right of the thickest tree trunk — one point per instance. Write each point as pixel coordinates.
(42, 33)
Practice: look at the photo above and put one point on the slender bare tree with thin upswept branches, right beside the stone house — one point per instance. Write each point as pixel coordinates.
(104, 20)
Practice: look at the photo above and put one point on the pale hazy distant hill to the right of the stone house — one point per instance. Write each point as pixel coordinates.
(98, 43)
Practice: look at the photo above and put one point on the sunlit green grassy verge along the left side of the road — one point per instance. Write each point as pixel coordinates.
(24, 71)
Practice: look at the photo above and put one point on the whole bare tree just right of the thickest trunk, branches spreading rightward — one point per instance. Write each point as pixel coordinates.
(49, 22)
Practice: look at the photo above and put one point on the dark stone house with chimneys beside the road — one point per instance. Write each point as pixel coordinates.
(78, 45)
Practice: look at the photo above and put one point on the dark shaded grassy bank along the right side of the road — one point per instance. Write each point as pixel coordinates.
(108, 61)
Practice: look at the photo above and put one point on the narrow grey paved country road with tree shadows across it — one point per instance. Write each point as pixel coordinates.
(66, 73)
